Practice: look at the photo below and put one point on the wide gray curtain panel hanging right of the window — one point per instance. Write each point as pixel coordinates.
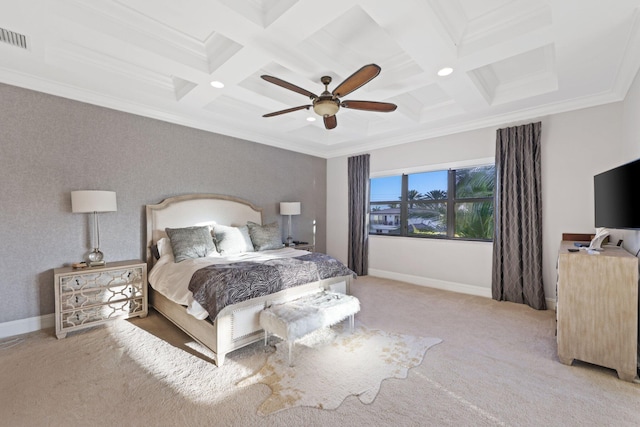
(517, 241)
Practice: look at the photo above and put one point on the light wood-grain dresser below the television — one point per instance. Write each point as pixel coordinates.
(597, 308)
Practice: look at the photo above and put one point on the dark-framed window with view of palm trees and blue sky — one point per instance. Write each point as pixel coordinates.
(453, 204)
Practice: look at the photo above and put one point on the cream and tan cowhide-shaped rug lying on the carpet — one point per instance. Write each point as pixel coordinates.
(331, 364)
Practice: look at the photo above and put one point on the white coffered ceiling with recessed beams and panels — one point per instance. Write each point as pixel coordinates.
(512, 59)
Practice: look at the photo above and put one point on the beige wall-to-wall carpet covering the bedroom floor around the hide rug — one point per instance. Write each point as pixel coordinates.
(497, 366)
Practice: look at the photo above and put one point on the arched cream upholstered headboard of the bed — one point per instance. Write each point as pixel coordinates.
(196, 209)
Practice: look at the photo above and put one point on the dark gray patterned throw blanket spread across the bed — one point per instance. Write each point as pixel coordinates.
(216, 286)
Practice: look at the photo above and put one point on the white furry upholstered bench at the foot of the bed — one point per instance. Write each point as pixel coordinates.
(295, 319)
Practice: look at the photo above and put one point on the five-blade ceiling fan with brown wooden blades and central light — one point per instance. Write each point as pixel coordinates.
(328, 103)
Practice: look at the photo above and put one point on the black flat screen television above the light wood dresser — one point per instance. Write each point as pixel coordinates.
(617, 193)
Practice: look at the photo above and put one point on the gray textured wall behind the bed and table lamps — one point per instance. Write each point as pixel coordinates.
(50, 146)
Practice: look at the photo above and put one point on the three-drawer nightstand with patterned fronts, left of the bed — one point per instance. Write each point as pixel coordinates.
(94, 295)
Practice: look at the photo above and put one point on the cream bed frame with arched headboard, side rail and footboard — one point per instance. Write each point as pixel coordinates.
(237, 325)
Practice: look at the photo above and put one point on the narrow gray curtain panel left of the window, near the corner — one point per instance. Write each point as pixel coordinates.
(358, 173)
